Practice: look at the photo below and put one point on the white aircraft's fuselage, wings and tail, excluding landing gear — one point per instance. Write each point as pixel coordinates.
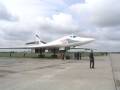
(64, 42)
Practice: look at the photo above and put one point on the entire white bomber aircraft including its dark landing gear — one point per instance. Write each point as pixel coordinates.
(65, 43)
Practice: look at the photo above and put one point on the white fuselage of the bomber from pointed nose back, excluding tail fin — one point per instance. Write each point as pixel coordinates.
(63, 42)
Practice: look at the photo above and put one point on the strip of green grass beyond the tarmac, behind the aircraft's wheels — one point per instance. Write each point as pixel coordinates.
(36, 55)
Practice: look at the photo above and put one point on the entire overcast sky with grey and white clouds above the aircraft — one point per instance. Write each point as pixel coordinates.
(20, 20)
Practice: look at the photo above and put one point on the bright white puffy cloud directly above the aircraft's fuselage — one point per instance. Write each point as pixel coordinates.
(58, 23)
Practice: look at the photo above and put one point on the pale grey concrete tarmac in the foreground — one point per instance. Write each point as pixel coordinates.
(38, 74)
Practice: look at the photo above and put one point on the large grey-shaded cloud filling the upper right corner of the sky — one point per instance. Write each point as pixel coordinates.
(103, 13)
